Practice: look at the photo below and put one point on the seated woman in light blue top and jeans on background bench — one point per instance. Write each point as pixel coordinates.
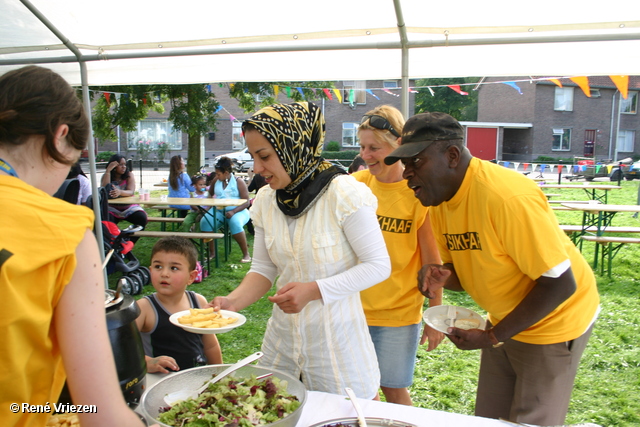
(226, 185)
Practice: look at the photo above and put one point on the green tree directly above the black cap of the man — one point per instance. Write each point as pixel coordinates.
(446, 100)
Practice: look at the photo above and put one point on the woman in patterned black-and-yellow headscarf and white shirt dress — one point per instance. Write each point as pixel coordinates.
(317, 232)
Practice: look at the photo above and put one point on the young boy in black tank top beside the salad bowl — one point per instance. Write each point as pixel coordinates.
(168, 347)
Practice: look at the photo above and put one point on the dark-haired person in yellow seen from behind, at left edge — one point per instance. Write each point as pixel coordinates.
(52, 324)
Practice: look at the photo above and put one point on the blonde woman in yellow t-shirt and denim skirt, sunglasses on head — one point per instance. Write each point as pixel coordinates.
(394, 307)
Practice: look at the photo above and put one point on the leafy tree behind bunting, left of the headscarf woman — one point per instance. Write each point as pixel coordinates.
(193, 107)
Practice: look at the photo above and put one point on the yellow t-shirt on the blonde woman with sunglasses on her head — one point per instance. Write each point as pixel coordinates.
(396, 301)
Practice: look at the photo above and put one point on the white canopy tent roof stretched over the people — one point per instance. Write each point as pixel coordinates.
(98, 42)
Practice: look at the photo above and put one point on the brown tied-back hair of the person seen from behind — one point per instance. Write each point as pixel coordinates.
(36, 101)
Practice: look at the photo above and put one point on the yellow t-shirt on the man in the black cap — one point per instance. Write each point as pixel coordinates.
(500, 234)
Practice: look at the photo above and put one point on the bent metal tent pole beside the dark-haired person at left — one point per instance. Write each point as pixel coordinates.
(87, 105)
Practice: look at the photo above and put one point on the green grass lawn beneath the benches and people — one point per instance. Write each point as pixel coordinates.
(607, 387)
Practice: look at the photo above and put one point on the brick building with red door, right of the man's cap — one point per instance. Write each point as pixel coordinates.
(548, 120)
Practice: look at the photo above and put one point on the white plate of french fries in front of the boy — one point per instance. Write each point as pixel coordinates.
(207, 321)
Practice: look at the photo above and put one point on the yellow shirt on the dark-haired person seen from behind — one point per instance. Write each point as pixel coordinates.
(38, 238)
